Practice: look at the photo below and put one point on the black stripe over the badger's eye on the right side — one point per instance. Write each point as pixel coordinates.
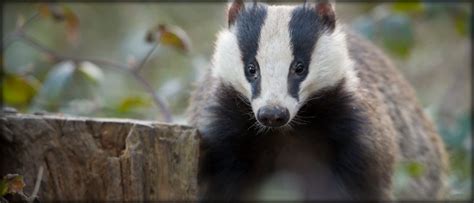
(305, 27)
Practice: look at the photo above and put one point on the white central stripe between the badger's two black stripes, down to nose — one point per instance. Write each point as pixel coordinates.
(274, 57)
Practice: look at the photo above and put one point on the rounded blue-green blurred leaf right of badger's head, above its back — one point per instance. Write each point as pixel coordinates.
(398, 36)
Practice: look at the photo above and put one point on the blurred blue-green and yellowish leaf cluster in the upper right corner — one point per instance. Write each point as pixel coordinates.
(393, 27)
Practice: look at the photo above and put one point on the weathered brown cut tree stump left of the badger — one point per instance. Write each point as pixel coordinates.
(100, 159)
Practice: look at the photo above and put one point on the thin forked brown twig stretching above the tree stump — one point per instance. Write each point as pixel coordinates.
(134, 70)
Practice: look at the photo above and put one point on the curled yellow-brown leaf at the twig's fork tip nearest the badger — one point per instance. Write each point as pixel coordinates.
(169, 35)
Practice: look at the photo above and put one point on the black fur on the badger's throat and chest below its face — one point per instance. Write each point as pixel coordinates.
(233, 148)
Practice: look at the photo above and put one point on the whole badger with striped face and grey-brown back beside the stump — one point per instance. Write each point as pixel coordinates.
(295, 99)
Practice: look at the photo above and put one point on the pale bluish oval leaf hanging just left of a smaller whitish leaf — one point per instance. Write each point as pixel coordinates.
(56, 80)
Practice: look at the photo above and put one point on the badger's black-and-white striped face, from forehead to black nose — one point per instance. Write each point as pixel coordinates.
(279, 56)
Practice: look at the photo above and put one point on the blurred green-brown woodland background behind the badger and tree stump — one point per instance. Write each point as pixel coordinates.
(86, 59)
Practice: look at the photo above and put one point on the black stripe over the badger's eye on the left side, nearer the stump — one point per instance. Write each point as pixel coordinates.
(248, 27)
